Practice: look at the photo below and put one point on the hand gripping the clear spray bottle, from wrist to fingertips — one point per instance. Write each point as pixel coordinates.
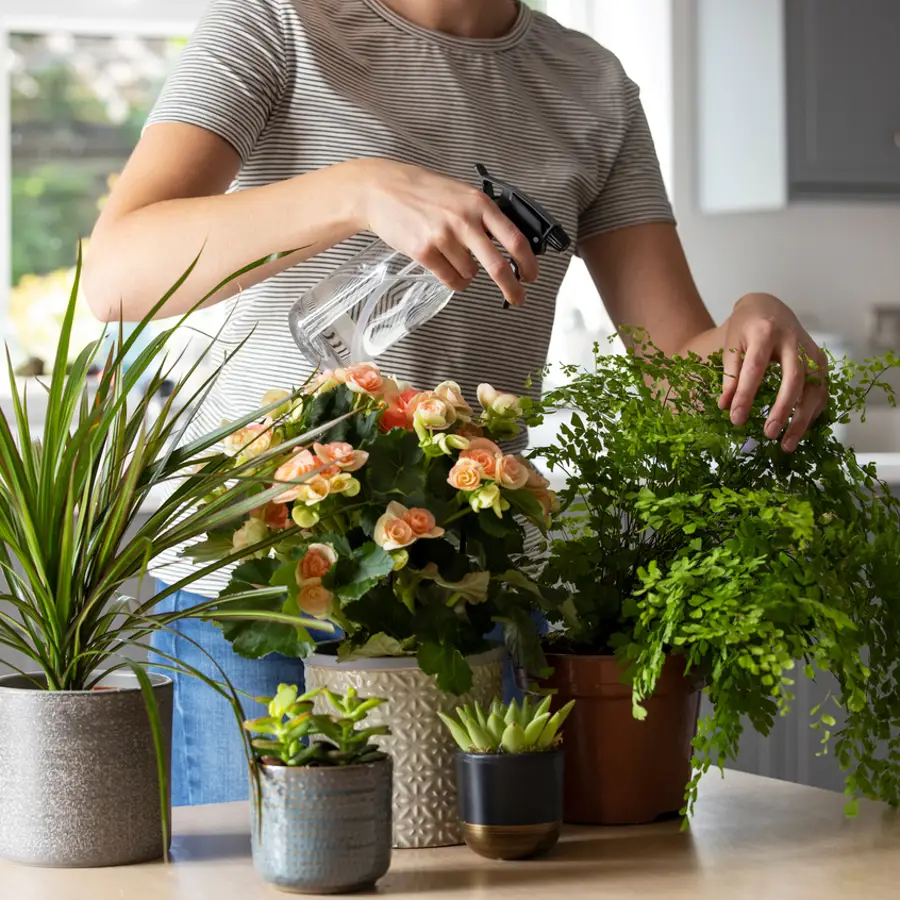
(444, 224)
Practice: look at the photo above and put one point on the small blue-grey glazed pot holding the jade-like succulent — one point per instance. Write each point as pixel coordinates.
(323, 830)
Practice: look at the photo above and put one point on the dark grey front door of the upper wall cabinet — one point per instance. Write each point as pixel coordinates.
(843, 74)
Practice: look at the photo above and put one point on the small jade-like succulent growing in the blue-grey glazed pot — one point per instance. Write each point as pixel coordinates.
(293, 735)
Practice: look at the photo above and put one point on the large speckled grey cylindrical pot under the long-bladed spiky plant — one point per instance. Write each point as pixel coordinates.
(78, 773)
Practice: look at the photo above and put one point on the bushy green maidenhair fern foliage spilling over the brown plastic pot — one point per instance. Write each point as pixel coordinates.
(687, 535)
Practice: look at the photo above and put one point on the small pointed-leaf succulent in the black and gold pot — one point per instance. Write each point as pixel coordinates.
(529, 728)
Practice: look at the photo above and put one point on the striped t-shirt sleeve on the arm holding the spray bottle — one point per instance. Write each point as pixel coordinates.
(231, 74)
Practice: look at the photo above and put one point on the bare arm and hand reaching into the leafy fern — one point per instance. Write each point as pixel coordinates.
(645, 281)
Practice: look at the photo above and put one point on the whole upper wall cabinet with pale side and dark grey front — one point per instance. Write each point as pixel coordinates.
(796, 99)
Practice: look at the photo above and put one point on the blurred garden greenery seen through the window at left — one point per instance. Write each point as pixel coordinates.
(77, 107)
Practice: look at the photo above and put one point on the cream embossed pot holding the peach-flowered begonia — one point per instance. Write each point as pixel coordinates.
(425, 813)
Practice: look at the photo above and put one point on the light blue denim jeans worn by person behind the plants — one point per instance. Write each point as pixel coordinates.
(208, 761)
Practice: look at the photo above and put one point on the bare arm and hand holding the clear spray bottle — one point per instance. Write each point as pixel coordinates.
(169, 205)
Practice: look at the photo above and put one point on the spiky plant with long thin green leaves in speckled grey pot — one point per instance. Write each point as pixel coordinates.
(70, 499)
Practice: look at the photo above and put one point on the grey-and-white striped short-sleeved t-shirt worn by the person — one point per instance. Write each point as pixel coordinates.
(297, 85)
